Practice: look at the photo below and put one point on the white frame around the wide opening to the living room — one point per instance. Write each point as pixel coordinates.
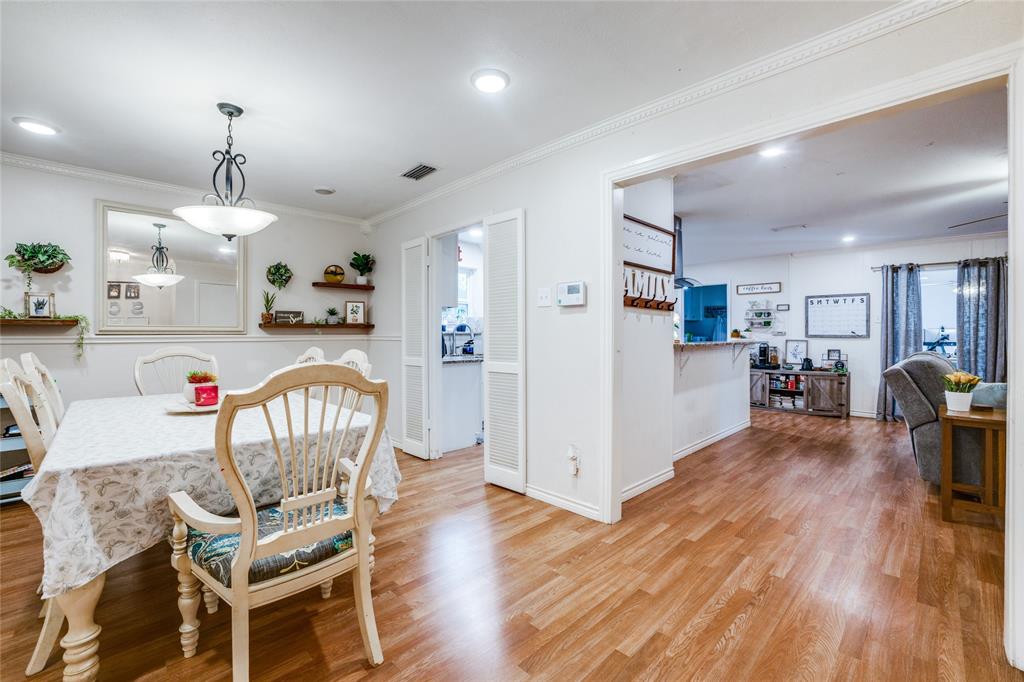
(1004, 62)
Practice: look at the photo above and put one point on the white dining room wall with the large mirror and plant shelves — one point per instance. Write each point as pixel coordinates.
(46, 207)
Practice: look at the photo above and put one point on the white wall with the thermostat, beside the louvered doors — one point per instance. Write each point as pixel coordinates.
(562, 197)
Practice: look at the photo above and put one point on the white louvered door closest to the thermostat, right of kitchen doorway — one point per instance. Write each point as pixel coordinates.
(504, 363)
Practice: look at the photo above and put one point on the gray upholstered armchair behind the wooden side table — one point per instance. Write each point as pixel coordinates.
(917, 383)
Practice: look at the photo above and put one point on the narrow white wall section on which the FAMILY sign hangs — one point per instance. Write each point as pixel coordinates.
(647, 359)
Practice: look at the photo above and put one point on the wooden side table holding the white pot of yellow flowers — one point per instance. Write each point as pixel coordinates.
(994, 461)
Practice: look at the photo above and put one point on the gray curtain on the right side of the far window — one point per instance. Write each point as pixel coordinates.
(982, 318)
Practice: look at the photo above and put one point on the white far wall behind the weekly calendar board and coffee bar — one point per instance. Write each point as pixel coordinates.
(840, 272)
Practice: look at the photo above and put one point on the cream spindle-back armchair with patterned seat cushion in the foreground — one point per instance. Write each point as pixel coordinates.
(314, 535)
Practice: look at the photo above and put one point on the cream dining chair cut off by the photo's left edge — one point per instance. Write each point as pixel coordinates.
(30, 408)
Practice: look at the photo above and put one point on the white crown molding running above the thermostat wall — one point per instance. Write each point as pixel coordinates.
(870, 28)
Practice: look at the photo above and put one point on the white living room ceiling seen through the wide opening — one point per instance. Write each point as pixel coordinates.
(904, 176)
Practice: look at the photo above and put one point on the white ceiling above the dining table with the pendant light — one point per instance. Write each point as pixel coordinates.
(353, 95)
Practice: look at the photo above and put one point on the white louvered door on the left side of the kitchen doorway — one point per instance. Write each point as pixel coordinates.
(415, 410)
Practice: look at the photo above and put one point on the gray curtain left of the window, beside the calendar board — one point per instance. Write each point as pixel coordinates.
(902, 328)
